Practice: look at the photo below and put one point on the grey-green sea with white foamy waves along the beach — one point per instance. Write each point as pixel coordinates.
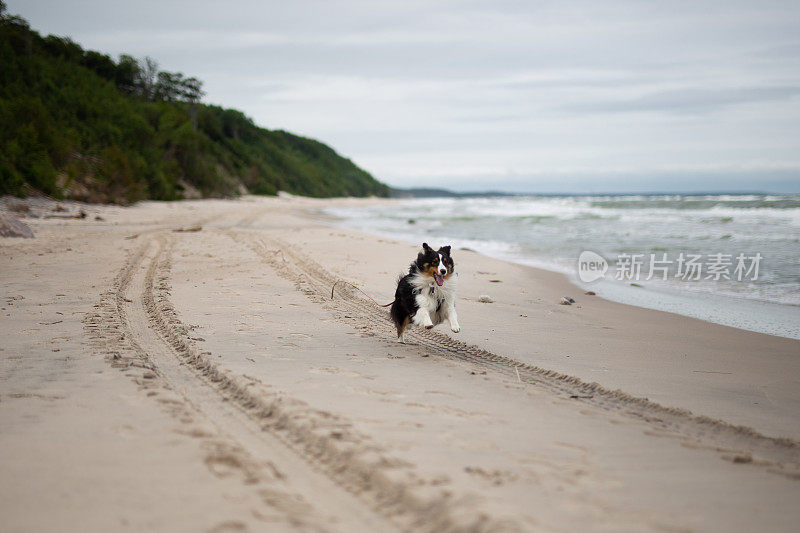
(728, 259)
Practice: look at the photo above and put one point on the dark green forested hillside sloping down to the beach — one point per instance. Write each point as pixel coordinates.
(78, 124)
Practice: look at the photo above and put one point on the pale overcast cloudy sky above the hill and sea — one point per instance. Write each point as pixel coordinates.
(515, 95)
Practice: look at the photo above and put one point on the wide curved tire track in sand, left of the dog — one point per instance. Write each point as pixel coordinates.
(282, 441)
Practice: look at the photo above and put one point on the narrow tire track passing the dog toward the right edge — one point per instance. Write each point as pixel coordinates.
(738, 444)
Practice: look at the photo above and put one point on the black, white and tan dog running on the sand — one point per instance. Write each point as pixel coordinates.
(426, 296)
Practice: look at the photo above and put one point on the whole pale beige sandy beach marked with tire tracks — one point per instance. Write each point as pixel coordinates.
(181, 367)
